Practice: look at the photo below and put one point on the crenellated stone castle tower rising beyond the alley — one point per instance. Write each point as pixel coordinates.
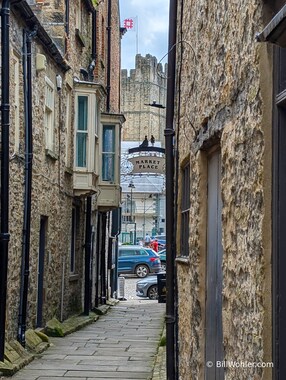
(145, 84)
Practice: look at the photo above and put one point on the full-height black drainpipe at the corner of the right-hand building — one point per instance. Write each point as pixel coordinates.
(170, 199)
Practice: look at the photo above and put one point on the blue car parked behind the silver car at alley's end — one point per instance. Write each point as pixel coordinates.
(135, 259)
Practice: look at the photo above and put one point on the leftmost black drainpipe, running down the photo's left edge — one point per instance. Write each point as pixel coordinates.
(5, 123)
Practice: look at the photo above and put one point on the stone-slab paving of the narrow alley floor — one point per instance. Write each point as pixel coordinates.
(120, 345)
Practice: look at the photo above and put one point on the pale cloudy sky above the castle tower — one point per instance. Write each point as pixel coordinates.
(153, 18)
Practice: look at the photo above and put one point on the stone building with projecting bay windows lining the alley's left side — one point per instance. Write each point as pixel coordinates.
(64, 91)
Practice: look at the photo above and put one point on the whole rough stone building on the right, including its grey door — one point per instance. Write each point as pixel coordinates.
(230, 225)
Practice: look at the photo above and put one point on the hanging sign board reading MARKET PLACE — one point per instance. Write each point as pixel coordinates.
(144, 164)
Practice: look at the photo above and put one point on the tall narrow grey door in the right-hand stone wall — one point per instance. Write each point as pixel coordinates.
(214, 334)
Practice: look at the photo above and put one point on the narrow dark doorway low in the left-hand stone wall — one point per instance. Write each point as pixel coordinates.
(41, 269)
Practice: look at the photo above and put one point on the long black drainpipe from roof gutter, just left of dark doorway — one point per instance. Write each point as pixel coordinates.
(25, 266)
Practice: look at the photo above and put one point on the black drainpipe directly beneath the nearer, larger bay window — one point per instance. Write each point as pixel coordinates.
(87, 256)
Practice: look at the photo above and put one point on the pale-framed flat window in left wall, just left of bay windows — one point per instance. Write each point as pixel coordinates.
(49, 114)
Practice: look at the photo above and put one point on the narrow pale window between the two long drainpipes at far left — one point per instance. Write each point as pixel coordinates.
(16, 104)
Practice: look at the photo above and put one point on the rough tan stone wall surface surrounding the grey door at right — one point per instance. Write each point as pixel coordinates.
(224, 82)
